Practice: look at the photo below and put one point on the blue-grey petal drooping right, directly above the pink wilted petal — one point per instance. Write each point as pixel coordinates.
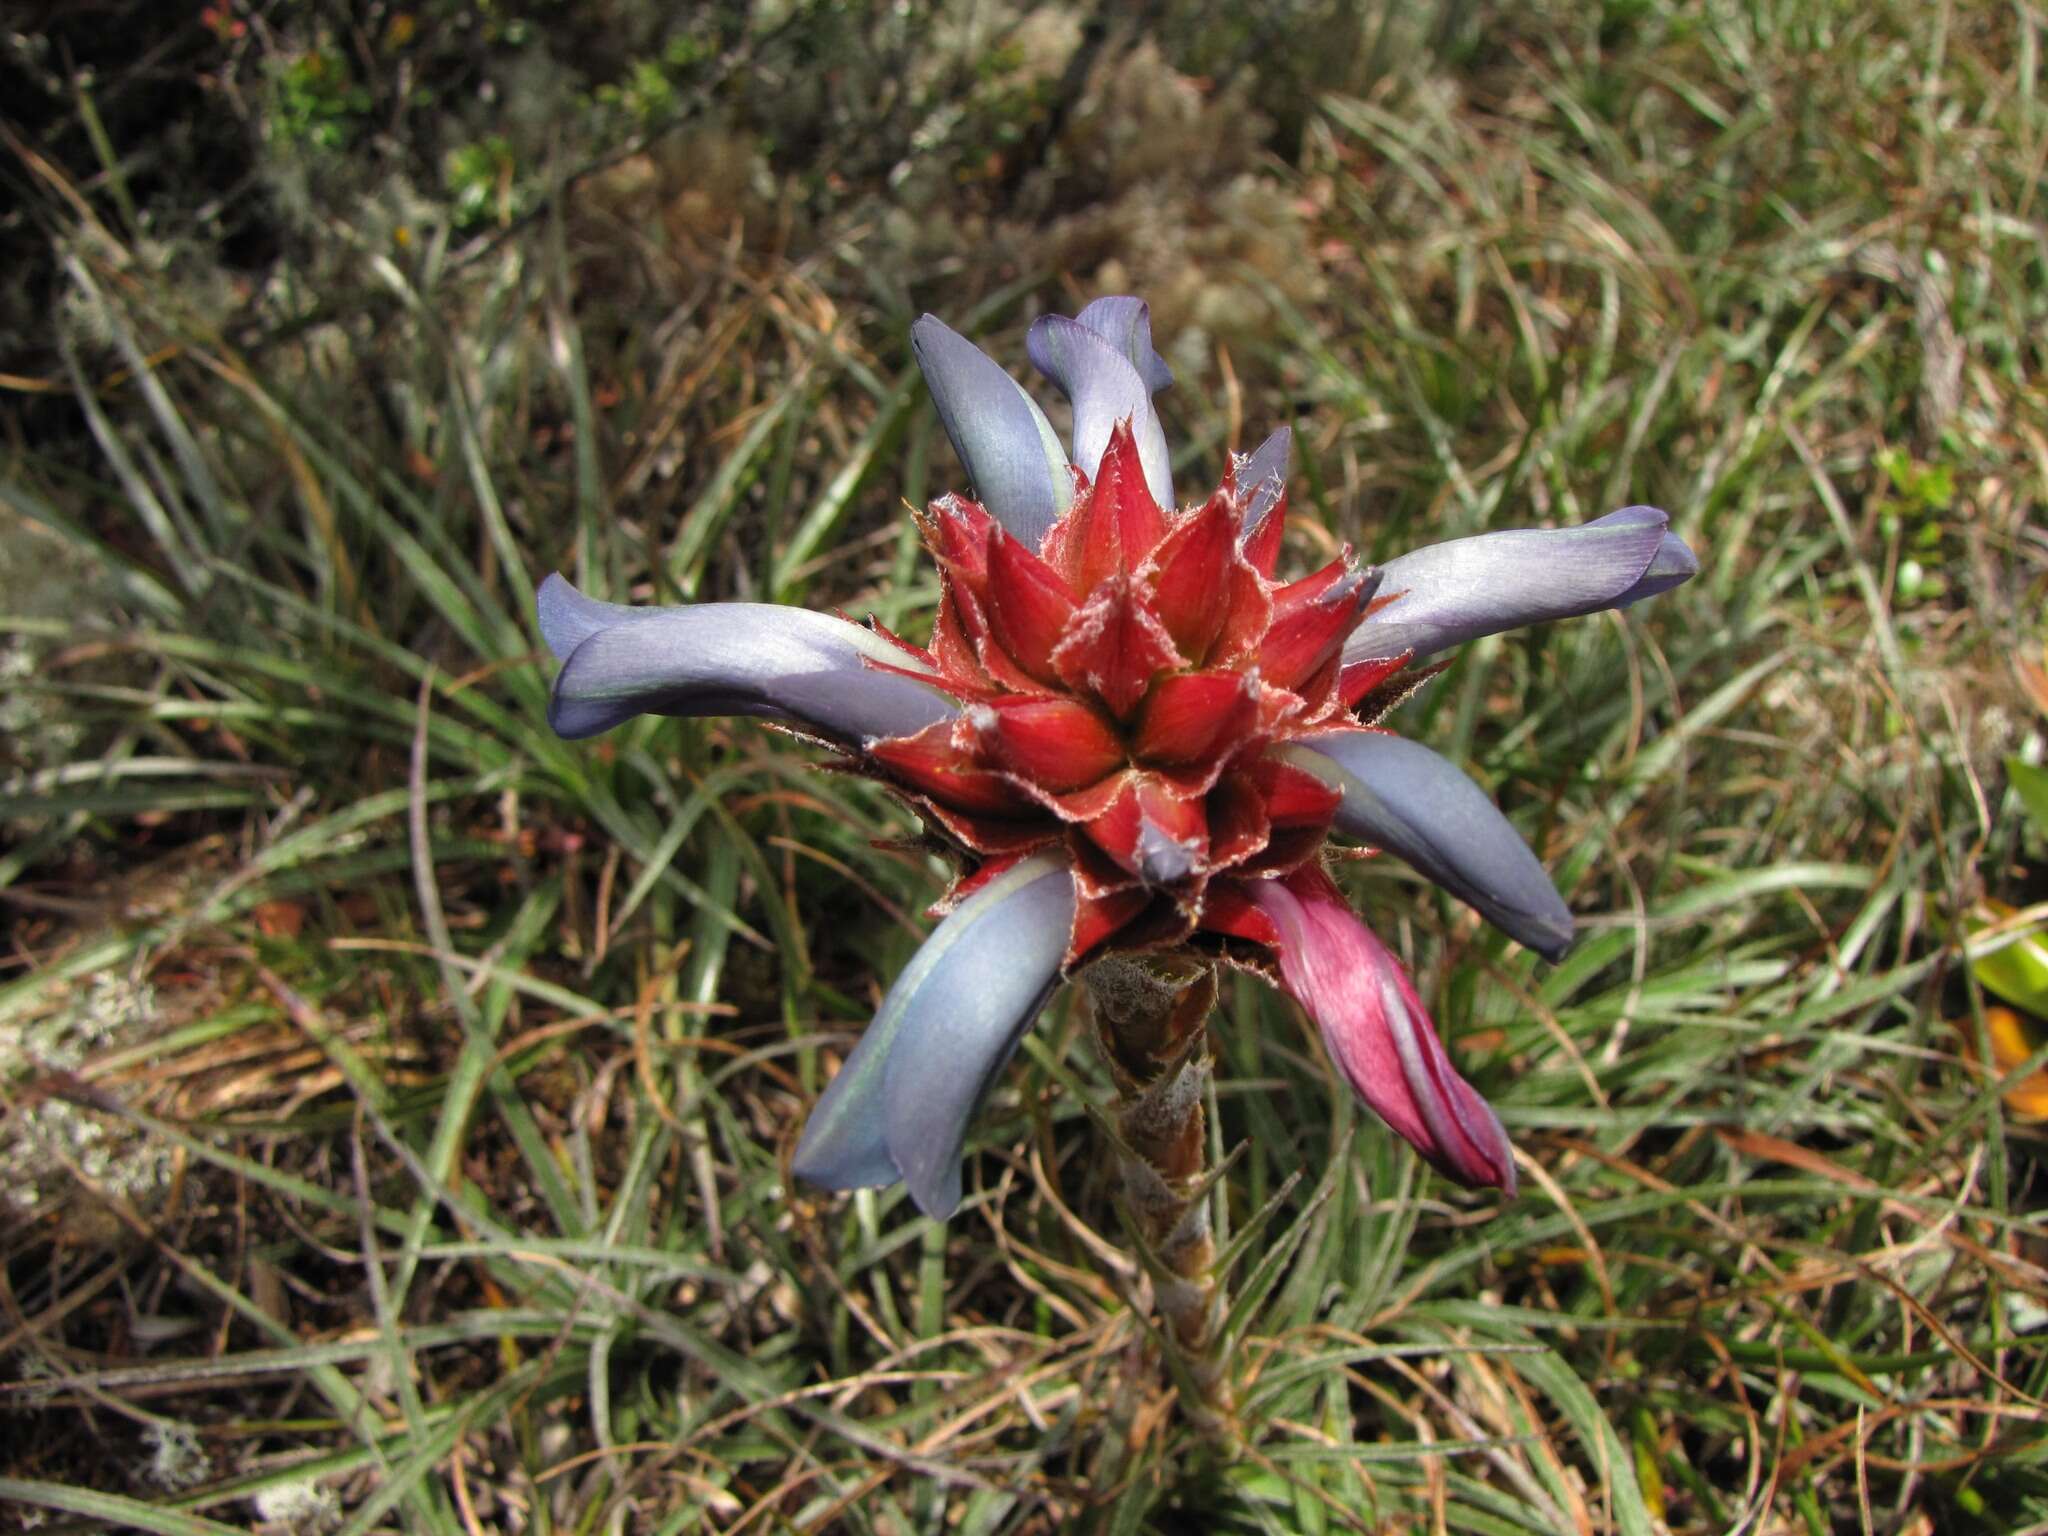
(1404, 798)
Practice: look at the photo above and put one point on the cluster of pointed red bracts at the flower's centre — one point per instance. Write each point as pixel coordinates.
(1121, 693)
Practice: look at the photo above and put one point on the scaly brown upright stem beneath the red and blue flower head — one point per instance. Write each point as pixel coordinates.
(1152, 1023)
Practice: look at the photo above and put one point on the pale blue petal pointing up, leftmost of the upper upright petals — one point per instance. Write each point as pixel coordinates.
(1011, 452)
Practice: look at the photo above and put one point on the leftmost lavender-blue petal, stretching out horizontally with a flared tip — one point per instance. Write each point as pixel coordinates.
(728, 658)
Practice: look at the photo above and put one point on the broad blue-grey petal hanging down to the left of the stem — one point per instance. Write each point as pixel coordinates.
(949, 1025)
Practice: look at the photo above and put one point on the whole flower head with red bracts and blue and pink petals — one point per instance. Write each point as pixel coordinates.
(1136, 738)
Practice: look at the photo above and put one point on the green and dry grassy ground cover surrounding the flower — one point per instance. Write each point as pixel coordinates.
(398, 1101)
